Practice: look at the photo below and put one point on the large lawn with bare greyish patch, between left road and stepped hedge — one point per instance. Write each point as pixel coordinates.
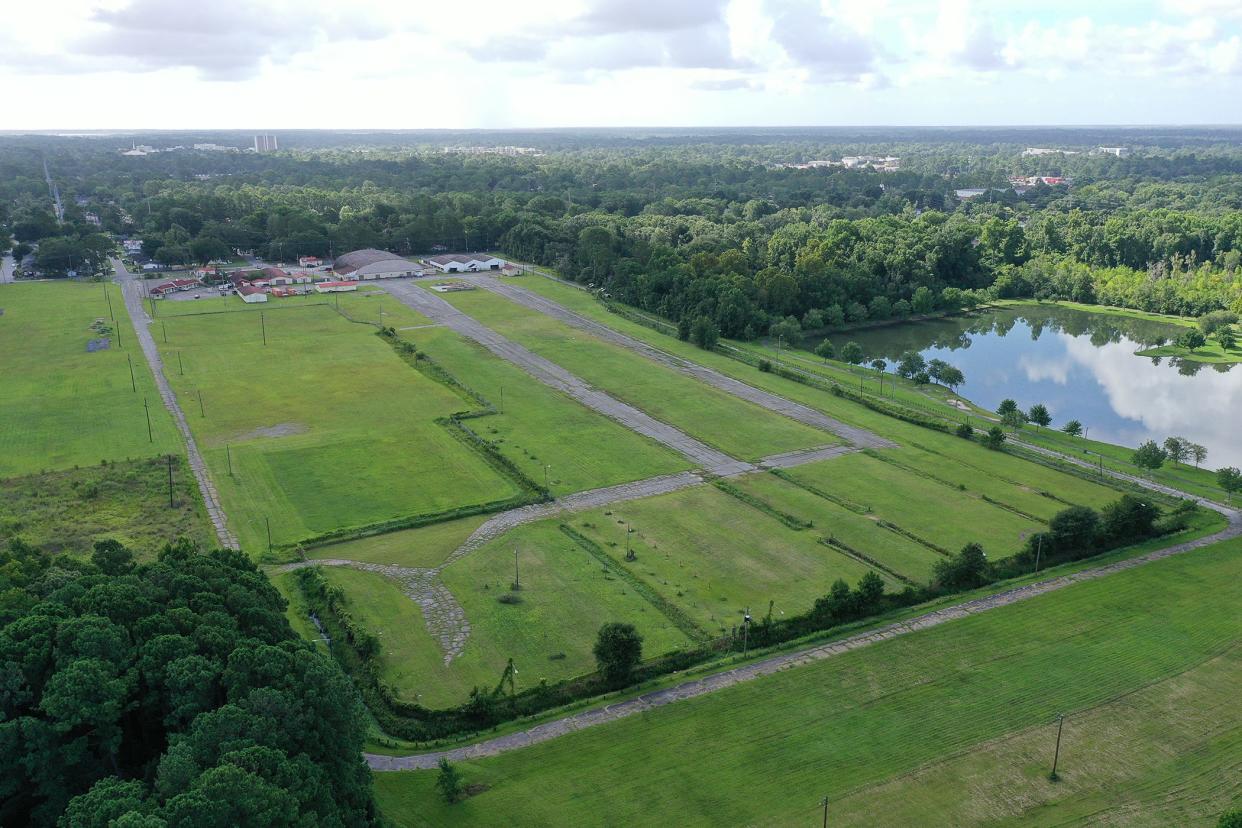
(326, 426)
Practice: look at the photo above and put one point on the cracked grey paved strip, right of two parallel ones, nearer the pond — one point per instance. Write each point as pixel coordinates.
(781, 405)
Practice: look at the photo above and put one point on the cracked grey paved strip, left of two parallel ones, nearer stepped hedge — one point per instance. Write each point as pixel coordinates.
(556, 377)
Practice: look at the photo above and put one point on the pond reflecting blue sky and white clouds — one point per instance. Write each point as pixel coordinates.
(1082, 367)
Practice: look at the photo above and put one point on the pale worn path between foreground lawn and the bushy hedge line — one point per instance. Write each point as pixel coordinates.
(784, 661)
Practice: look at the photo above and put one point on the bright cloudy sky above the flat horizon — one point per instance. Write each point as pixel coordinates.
(538, 64)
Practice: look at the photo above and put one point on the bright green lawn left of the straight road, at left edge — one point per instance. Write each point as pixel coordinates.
(61, 407)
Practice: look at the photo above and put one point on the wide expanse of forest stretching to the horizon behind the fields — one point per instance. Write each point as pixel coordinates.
(702, 227)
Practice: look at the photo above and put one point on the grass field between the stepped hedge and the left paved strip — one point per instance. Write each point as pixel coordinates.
(541, 428)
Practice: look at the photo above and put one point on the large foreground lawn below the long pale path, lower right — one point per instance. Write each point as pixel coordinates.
(767, 752)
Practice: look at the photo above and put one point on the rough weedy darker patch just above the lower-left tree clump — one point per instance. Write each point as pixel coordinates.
(68, 512)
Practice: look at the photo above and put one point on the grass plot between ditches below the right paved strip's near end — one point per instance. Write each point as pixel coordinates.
(918, 505)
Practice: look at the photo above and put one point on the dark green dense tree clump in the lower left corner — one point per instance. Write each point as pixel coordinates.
(172, 693)
